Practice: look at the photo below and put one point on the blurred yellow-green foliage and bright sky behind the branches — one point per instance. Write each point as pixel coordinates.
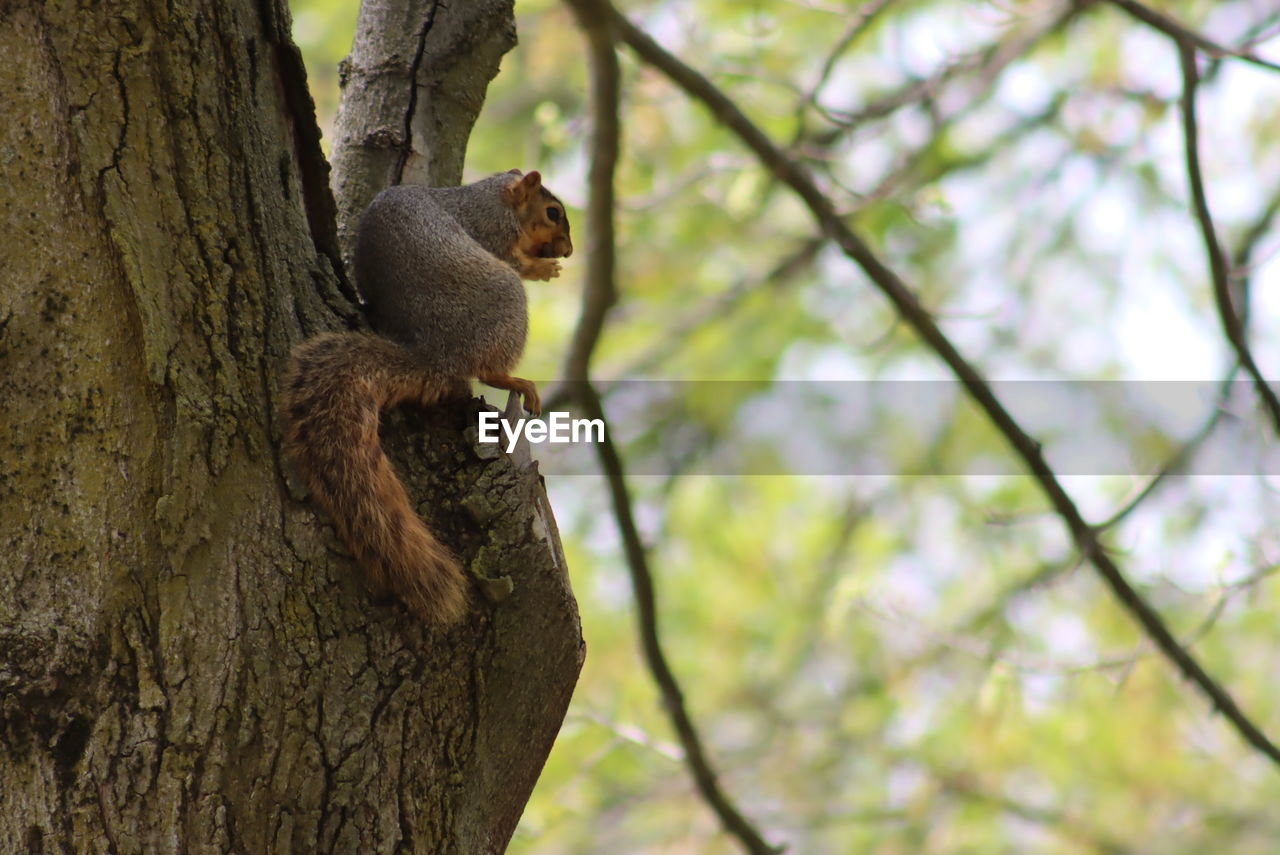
(903, 662)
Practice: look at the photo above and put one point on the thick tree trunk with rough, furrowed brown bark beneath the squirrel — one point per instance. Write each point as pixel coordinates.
(189, 662)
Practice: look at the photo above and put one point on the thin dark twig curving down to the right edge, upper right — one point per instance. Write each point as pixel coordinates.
(1218, 264)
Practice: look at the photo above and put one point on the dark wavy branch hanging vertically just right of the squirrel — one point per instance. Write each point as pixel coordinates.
(600, 296)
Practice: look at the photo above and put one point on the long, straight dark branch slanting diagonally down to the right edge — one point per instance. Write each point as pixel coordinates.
(1085, 537)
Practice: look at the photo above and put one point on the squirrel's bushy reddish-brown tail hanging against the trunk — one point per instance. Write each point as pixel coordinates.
(336, 388)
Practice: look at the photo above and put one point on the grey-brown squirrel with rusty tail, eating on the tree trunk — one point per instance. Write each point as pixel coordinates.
(440, 269)
